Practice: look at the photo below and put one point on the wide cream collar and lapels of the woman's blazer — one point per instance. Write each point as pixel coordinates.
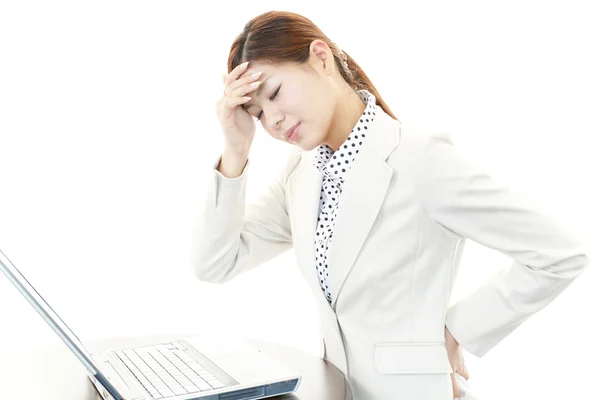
(365, 187)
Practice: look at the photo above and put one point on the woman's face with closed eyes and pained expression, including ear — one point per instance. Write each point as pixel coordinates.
(293, 94)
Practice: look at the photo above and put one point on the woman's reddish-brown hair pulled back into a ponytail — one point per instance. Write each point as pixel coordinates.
(282, 36)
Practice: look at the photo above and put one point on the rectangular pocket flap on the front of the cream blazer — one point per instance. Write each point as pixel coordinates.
(411, 358)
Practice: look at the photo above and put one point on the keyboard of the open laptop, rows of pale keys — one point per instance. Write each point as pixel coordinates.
(165, 370)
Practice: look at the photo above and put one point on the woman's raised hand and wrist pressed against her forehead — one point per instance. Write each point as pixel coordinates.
(237, 124)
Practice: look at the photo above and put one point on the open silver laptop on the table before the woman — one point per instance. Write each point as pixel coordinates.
(194, 367)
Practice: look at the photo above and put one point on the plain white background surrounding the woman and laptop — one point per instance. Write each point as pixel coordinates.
(108, 134)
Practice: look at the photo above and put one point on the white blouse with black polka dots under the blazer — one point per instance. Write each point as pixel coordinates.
(334, 166)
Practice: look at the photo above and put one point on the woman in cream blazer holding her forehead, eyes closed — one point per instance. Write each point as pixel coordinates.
(377, 213)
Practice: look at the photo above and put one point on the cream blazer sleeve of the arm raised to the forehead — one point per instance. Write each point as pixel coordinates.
(231, 236)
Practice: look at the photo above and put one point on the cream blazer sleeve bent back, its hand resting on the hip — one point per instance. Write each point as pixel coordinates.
(465, 201)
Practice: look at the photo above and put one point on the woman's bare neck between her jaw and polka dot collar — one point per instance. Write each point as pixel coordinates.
(348, 111)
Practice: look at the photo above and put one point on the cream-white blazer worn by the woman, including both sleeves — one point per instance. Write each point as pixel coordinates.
(409, 202)
